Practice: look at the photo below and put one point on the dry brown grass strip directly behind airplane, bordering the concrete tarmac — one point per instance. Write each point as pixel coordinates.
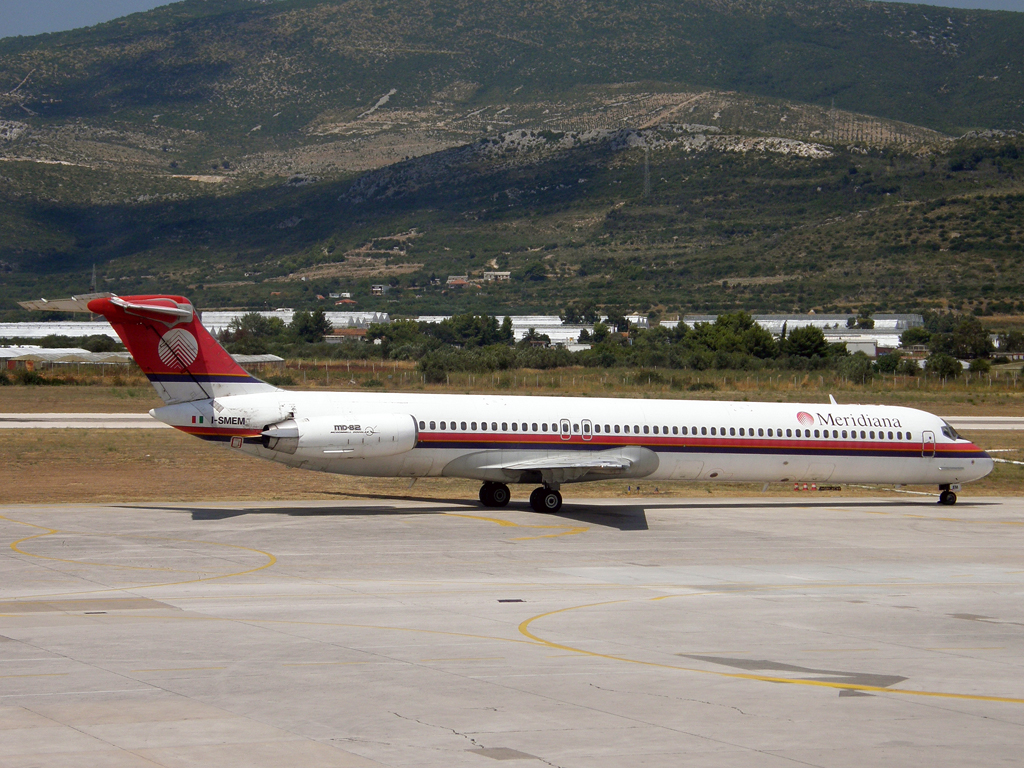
(41, 466)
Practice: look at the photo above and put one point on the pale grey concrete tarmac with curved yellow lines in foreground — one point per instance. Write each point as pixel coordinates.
(727, 632)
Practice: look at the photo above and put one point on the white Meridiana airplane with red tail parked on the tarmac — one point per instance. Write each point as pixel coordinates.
(502, 441)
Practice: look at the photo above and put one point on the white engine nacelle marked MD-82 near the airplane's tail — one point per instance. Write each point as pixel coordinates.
(349, 437)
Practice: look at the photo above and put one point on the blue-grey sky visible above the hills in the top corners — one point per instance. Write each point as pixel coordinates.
(36, 17)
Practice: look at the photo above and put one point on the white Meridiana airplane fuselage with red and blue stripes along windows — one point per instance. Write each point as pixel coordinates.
(559, 440)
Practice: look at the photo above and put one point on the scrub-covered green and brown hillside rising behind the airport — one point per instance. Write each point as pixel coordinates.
(263, 153)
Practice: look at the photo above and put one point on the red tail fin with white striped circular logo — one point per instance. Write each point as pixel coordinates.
(181, 358)
